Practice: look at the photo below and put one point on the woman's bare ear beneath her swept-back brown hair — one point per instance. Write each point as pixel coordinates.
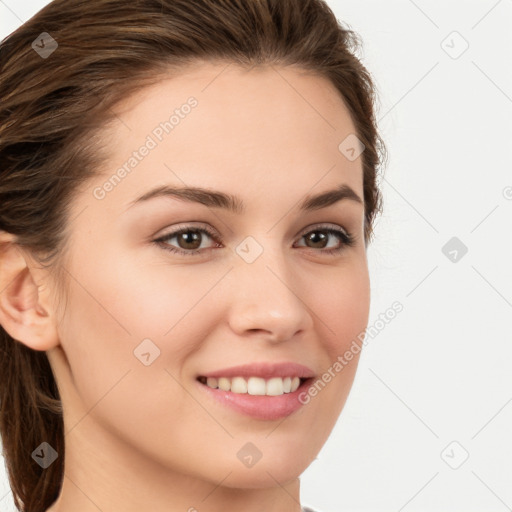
(25, 310)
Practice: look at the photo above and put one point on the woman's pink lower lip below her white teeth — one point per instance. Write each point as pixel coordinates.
(262, 407)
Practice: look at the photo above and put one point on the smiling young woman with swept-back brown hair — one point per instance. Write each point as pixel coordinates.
(187, 192)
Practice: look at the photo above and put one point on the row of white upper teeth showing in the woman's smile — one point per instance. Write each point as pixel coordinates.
(255, 385)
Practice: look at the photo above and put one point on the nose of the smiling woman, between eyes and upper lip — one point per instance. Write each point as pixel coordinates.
(268, 299)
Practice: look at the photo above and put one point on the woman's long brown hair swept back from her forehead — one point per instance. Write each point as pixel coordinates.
(53, 108)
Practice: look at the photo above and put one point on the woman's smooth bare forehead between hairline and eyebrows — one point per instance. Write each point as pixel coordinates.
(222, 126)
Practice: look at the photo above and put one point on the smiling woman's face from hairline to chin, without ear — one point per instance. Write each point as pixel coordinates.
(260, 291)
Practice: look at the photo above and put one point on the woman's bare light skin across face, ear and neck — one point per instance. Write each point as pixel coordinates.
(147, 437)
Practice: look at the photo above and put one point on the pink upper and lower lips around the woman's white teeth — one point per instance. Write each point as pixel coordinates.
(257, 406)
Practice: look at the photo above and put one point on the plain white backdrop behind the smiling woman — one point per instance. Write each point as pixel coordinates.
(427, 426)
